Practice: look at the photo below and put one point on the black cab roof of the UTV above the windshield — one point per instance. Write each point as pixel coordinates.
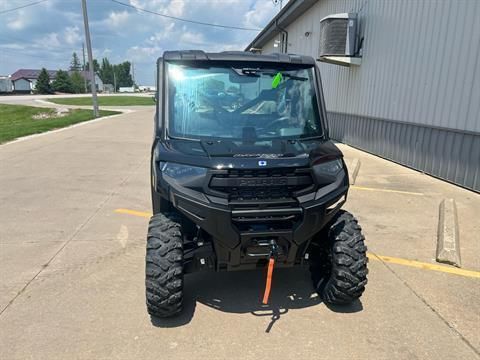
(199, 55)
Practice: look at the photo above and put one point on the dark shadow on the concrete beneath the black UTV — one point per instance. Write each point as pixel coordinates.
(241, 292)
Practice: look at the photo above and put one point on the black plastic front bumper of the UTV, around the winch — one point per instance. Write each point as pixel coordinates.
(238, 241)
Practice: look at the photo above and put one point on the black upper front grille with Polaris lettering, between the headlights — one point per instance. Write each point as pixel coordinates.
(264, 184)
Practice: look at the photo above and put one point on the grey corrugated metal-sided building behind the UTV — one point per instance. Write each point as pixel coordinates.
(415, 98)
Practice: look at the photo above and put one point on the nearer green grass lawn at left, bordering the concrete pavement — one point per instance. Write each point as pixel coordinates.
(18, 120)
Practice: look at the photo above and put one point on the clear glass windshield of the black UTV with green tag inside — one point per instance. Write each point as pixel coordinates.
(247, 104)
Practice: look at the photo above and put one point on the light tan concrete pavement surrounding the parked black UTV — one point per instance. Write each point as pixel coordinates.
(72, 269)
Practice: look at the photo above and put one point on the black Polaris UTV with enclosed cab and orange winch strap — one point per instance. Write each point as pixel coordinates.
(244, 176)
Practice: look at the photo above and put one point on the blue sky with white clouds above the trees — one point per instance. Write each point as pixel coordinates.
(46, 34)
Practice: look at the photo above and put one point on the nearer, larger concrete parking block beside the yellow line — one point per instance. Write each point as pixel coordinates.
(448, 239)
